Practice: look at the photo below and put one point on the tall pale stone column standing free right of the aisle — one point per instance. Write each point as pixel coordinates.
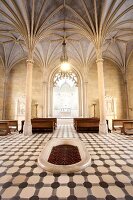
(101, 90)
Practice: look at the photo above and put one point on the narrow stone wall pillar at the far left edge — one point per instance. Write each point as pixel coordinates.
(5, 95)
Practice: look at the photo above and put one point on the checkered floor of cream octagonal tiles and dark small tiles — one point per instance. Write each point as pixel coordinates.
(109, 177)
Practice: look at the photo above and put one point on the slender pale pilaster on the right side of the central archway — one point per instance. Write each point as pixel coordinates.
(85, 99)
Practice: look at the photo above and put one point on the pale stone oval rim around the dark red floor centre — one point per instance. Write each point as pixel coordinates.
(44, 155)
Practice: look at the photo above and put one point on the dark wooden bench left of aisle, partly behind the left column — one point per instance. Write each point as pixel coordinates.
(40, 126)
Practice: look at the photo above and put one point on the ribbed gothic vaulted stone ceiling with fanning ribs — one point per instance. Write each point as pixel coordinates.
(37, 27)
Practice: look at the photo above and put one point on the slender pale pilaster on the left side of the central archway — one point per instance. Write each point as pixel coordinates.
(45, 102)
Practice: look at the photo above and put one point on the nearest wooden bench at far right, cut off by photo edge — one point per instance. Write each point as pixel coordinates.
(128, 128)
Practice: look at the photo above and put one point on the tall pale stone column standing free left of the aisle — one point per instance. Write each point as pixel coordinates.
(27, 125)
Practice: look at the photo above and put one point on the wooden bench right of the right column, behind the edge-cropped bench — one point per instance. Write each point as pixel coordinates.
(117, 124)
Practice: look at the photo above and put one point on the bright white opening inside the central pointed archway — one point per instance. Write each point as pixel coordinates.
(65, 95)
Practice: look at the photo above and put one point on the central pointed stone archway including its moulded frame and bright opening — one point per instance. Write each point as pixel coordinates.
(65, 95)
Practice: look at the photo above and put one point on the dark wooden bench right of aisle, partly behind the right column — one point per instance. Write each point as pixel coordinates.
(90, 125)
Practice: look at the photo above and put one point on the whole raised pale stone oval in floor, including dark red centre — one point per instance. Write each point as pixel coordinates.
(82, 160)
